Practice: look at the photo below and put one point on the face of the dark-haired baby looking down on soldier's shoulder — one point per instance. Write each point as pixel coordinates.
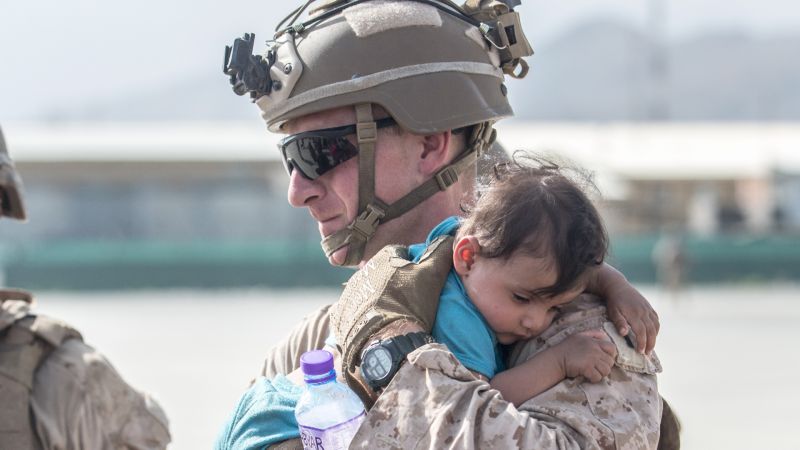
(502, 290)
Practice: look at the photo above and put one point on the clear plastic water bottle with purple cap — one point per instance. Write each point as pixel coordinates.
(329, 413)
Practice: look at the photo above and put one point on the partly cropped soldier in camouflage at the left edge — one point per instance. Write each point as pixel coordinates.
(58, 392)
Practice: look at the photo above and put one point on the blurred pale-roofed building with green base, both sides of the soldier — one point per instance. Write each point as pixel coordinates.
(204, 204)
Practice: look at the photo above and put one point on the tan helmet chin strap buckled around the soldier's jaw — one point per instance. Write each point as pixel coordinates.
(371, 210)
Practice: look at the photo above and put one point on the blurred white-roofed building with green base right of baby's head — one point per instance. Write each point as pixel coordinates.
(725, 193)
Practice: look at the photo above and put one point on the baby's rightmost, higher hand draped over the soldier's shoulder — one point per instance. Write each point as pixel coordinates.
(630, 311)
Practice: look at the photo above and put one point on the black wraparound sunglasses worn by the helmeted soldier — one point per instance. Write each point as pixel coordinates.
(315, 152)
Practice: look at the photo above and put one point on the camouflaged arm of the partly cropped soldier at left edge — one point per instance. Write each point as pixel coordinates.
(79, 401)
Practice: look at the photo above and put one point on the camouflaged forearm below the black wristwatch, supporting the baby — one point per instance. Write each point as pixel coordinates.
(435, 402)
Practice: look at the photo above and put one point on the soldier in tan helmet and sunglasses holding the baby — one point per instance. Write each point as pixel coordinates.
(387, 105)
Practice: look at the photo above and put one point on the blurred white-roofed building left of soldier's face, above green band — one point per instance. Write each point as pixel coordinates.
(152, 182)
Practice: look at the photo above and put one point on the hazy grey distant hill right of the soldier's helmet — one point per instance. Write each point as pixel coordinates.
(600, 71)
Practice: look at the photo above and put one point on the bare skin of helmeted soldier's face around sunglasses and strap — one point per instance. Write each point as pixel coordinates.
(332, 199)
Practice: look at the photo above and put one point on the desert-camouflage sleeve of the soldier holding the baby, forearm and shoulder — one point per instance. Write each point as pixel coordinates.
(445, 406)
